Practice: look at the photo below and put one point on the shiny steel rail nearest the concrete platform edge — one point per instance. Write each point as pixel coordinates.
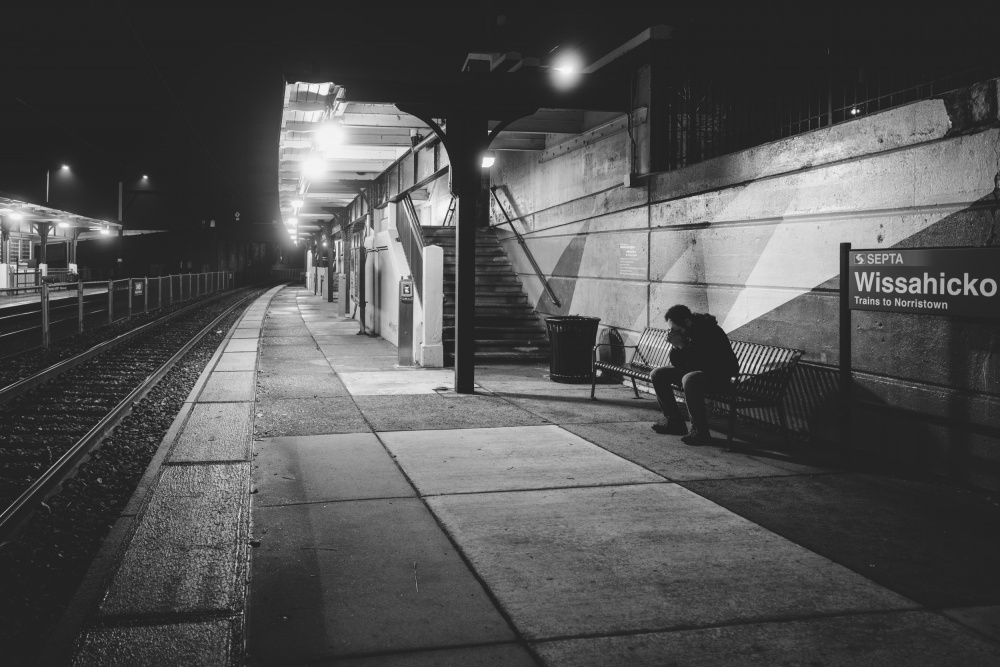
(14, 516)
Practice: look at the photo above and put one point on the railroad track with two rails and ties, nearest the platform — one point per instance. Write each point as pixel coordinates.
(52, 421)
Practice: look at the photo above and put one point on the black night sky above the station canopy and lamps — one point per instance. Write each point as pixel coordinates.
(191, 94)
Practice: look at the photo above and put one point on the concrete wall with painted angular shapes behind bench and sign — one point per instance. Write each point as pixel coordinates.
(753, 238)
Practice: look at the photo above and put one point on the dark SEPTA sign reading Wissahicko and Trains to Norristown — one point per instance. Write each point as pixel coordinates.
(961, 282)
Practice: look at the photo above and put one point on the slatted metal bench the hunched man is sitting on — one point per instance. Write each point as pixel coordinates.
(765, 372)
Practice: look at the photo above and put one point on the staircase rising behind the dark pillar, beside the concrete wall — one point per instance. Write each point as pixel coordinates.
(507, 328)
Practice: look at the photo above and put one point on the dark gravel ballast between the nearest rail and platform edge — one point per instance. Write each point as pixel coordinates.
(41, 568)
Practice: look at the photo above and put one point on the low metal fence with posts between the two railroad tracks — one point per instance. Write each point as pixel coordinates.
(38, 315)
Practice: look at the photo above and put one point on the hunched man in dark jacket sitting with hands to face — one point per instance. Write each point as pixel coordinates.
(701, 361)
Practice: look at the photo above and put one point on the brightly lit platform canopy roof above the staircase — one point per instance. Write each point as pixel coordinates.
(338, 136)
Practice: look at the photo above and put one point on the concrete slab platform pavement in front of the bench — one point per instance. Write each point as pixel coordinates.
(394, 522)
